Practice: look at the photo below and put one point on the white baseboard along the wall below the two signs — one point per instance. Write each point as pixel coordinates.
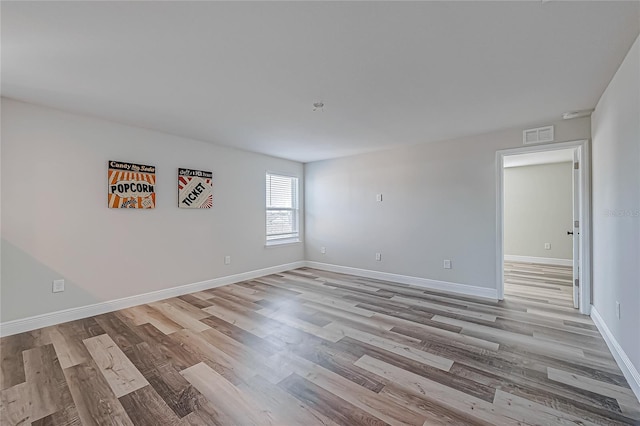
(31, 323)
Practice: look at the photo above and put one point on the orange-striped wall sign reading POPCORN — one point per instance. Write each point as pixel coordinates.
(131, 186)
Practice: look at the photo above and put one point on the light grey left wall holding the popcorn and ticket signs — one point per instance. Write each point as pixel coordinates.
(56, 224)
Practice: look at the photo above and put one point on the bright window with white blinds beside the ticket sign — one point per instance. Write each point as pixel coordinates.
(282, 209)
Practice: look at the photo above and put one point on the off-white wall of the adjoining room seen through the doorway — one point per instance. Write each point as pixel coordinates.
(538, 209)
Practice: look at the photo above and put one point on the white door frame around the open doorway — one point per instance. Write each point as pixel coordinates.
(584, 217)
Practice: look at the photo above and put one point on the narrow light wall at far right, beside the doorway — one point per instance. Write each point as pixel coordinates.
(616, 205)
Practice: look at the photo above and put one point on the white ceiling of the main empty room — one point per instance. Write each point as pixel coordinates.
(245, 74)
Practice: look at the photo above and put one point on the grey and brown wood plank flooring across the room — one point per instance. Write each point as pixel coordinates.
(309, 347)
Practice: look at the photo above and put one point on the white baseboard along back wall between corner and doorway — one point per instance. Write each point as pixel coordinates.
(467, 290)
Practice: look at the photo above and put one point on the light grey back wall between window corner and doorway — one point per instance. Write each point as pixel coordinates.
(439, 202)
